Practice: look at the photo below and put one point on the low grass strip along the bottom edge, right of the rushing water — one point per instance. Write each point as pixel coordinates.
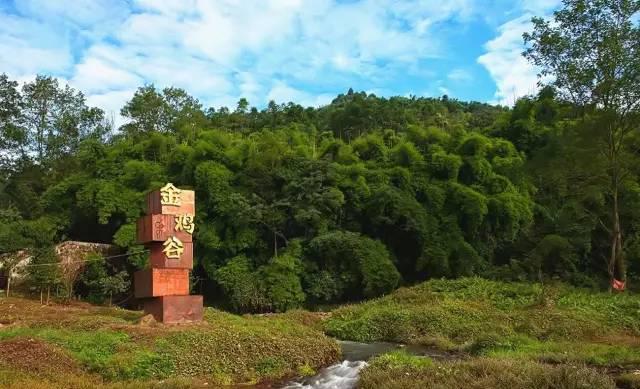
(398, 371)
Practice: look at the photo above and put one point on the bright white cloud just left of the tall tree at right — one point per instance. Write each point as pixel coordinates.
(513, 75)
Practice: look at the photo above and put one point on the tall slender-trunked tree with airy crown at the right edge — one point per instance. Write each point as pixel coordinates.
(591, 51)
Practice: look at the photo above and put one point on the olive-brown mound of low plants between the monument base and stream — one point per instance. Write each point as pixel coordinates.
(247, 349)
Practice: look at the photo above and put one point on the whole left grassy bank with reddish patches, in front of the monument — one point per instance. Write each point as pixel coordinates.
(90, 346)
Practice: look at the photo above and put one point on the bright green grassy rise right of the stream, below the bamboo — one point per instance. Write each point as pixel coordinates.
(465, 310)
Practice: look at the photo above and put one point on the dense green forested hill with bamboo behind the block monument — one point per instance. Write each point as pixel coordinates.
(320, 205)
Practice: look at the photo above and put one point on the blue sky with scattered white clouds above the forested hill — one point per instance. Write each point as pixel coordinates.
(305, 51)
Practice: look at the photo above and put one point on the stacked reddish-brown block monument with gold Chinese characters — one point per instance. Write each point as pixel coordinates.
(167, 231)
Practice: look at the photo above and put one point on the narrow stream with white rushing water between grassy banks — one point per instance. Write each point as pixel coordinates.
(344, 375)
